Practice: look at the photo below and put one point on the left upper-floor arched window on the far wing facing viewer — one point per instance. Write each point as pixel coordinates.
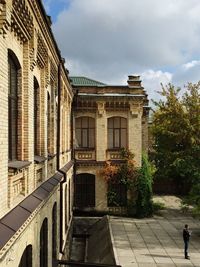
(85, 132)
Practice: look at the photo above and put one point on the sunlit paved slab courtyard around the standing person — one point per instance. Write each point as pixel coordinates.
(155, 241)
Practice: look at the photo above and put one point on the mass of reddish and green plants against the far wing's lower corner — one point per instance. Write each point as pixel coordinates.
(138, 182)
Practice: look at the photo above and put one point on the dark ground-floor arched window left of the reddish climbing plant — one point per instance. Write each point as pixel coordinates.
(85, 190)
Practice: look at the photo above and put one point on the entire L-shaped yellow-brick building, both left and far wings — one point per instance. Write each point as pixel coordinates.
(43, 114)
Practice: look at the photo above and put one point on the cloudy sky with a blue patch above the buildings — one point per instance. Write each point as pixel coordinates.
(107, 40)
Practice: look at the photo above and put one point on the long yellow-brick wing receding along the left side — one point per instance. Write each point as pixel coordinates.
(36, 170)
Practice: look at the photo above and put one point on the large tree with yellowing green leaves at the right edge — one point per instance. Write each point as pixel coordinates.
(176, 131)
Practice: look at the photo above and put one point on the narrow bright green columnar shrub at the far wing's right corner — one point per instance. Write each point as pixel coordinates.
(144, 204)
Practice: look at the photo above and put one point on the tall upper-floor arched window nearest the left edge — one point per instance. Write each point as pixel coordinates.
(13, 72)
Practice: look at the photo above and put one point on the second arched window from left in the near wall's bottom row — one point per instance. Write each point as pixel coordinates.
(44, 244)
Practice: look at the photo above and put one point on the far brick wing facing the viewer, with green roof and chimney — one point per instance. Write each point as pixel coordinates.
(107, 118)
